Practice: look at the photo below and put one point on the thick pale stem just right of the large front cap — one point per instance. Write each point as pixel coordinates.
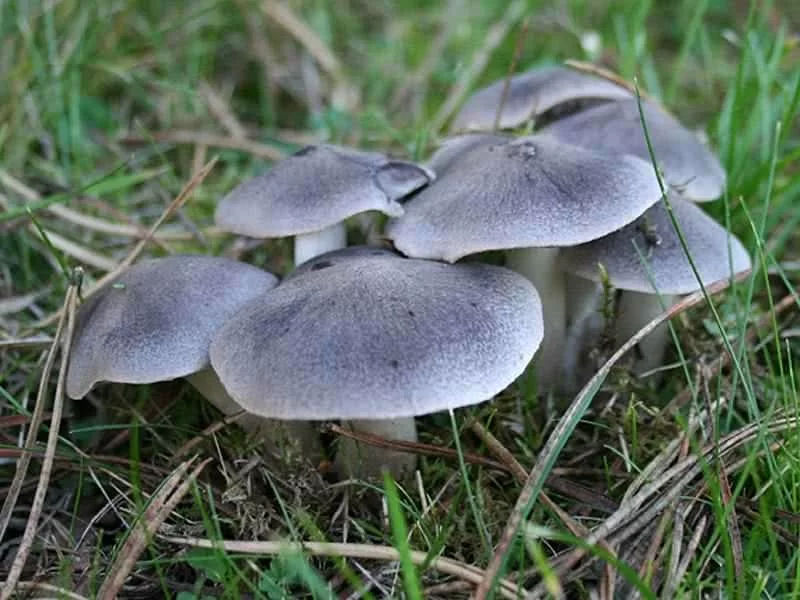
(540, 266)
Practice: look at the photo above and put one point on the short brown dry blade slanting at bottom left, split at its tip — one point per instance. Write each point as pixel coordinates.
(161, 506)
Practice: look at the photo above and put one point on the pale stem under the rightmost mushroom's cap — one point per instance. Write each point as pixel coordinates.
(634, 311)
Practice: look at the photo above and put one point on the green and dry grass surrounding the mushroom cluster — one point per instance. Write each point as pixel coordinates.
(108, 109)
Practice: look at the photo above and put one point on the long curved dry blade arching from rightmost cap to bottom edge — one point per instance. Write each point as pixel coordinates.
(559, 435)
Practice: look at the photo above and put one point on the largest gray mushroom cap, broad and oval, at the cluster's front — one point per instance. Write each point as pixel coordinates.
(367, 334)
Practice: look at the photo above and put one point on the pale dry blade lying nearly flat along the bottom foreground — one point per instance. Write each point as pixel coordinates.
(444, 565)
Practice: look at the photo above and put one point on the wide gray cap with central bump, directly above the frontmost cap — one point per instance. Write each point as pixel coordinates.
(501, 193)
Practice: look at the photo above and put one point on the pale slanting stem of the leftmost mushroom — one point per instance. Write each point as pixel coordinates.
(277, 435)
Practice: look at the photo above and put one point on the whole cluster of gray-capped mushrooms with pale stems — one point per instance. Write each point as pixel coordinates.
(374, 336)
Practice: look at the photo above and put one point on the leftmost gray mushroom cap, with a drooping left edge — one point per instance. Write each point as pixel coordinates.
(155, 321)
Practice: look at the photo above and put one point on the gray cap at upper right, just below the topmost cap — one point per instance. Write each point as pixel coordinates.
(689, 166)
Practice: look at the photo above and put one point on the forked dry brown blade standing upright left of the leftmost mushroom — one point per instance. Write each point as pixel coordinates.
(31, 526)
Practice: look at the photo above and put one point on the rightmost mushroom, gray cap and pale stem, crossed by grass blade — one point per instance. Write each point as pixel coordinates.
(647, 262)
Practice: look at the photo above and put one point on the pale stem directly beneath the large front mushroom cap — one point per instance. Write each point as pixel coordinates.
(357, 460)
